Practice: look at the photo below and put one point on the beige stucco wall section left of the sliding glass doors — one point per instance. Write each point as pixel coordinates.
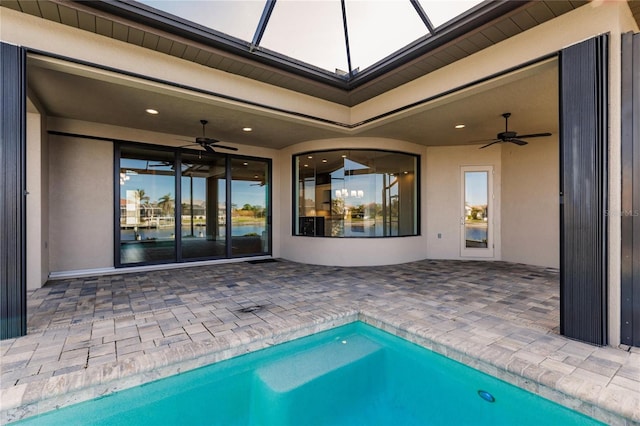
(81, 204)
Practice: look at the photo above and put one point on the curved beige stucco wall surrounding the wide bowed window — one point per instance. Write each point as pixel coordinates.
(346, 251)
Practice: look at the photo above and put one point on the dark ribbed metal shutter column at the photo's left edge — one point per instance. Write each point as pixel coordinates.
(13, 285)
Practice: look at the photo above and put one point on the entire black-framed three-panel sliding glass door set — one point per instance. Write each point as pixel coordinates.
(222, 212)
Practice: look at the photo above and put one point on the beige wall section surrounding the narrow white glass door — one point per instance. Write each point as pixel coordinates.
(444, 197)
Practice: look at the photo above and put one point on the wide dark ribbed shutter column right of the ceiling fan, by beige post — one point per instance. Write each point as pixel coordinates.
(583, 186)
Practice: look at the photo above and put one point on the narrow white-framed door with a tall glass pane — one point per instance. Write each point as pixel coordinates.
(476, 212)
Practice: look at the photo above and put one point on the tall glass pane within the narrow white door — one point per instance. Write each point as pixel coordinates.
(476, 215)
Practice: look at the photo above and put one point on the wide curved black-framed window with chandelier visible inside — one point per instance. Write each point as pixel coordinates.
(356, 193)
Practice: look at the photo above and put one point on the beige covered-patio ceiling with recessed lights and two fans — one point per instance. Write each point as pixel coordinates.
(531, 95)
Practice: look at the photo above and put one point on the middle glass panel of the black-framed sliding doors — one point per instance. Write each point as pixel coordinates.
(203, 206)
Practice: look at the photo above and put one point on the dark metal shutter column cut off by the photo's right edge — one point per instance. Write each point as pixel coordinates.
(630, 212)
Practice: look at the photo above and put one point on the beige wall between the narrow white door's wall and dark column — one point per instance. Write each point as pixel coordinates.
(530, 208)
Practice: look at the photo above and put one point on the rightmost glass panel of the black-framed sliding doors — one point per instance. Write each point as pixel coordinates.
(249, 206)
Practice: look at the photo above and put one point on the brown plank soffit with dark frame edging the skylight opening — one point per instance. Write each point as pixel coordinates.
(500, 21)
